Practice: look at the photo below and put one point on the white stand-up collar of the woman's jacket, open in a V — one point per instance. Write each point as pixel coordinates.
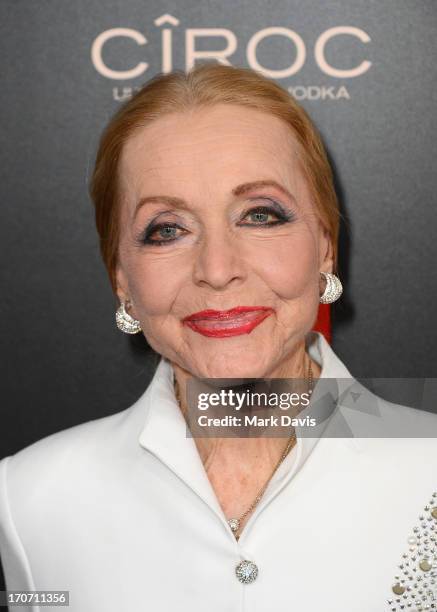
(165, 431)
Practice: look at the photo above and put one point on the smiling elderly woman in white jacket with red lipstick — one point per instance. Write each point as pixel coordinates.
(218, 225)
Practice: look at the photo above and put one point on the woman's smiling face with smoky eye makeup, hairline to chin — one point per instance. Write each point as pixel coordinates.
(211, 236)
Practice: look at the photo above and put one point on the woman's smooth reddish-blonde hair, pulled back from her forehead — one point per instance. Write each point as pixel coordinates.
(205, 85)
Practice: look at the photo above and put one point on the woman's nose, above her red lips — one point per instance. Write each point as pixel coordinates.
(218, 260)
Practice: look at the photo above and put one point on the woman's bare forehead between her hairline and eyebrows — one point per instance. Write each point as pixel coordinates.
(209, 145)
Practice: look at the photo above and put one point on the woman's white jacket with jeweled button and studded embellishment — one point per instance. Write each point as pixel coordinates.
(120, 512)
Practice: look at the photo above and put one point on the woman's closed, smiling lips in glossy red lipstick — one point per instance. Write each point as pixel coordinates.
(225, 323)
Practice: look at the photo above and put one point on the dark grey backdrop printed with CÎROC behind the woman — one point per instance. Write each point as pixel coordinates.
(64, 362)
